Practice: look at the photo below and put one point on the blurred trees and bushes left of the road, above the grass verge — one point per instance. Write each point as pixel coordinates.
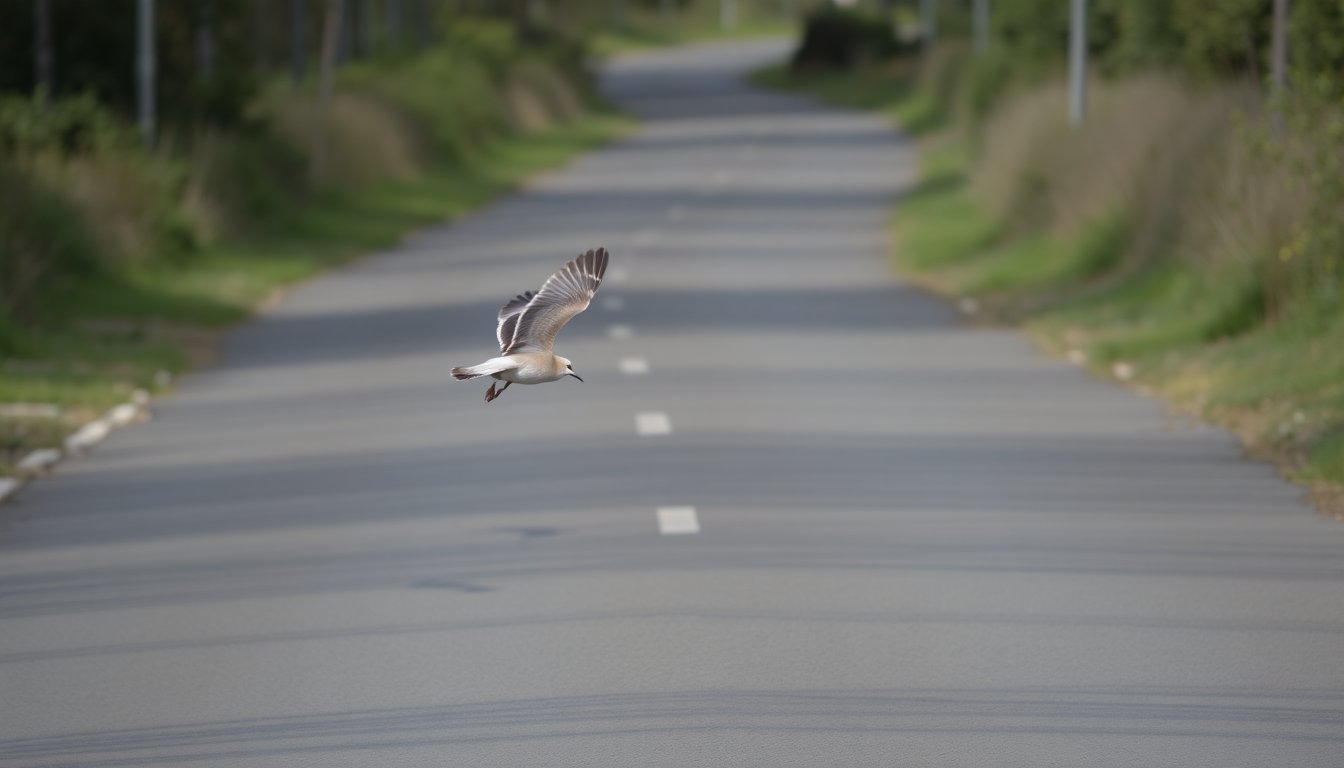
(420, 85)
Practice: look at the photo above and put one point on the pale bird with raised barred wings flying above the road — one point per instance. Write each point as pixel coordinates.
(529, 325)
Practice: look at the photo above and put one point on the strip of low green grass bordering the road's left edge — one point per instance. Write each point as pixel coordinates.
(110, 336)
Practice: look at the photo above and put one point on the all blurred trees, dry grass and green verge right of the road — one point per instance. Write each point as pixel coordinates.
(1187, 236)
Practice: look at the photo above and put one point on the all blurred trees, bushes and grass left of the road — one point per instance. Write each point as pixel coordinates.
(119, 259)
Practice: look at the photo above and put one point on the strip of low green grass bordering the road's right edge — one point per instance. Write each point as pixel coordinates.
(1197, 336)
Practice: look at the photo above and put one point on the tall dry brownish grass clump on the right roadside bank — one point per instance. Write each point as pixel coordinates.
(1167, 157)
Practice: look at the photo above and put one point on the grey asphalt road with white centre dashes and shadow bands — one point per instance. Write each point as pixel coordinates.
(920, 543)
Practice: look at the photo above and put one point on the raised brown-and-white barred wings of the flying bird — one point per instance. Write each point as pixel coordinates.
(565, 295)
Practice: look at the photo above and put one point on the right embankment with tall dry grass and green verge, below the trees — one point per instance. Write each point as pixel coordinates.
(1169, 243)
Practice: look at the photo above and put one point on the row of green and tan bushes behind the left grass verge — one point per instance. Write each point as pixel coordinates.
(81, 197)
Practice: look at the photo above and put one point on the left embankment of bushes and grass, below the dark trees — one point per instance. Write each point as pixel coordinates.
(118, 264)
